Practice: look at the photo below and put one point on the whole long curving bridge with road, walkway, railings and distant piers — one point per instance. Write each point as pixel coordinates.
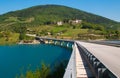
(89, 60)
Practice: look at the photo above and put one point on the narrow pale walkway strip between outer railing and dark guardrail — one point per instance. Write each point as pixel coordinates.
(82, 69)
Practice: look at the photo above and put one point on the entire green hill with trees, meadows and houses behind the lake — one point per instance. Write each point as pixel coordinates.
(55, 21)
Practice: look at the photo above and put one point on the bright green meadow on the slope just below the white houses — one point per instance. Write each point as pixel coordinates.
(66, 31)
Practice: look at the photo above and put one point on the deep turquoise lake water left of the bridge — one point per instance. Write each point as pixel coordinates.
(17, 58)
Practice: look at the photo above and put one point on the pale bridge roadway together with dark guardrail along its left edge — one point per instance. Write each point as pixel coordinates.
(103, 59)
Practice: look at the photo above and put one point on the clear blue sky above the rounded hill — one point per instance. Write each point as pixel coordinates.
(105, 8)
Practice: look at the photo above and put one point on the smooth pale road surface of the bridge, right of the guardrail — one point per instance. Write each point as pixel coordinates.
(108, 55)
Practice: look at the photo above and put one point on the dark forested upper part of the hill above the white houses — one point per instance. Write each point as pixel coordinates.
(46, 14)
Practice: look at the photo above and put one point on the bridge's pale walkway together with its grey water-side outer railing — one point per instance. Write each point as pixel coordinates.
(77, 67)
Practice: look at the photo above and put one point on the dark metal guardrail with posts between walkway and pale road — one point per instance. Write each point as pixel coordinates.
(99, 69)
